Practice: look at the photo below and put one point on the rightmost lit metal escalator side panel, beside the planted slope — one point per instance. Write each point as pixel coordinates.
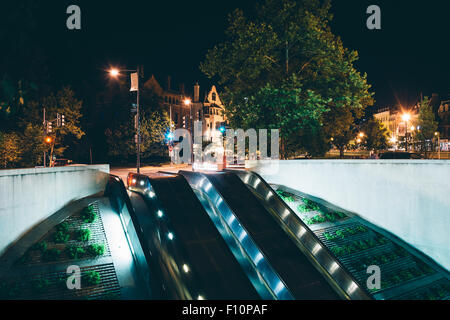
(319, 254)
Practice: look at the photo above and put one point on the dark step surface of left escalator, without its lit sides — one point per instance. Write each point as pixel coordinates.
(218, 274)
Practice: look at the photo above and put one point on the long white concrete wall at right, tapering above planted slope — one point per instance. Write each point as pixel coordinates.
(410, 198)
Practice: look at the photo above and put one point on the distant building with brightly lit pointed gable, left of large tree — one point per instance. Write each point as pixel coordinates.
(210, 111)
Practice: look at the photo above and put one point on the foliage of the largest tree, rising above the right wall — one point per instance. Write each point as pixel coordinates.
(285, 69)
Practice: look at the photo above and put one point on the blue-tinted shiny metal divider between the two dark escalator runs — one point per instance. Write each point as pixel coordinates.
(257, 258)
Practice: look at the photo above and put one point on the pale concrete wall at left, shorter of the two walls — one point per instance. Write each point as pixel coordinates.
(28, 196)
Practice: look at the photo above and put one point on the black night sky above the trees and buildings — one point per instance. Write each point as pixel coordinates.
(408, 56)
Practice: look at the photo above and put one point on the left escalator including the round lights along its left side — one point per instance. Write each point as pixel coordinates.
(193, 254)
